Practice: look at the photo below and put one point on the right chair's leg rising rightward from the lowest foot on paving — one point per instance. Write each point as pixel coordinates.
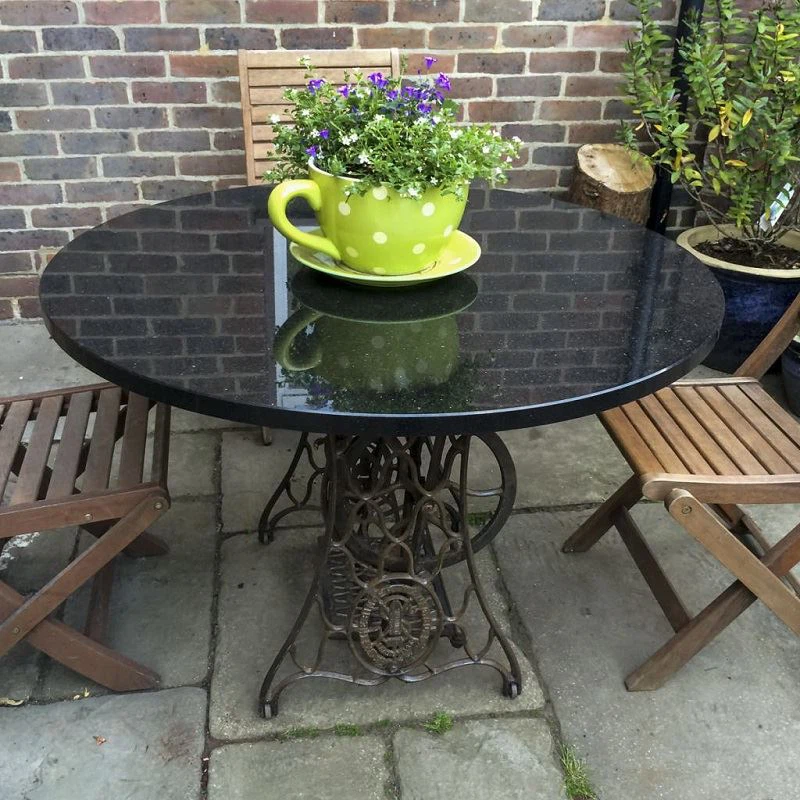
(712, 620)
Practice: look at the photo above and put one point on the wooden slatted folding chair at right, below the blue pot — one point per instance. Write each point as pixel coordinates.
(703, 447)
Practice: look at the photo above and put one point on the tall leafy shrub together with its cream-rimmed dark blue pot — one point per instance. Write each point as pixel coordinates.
(735, 150)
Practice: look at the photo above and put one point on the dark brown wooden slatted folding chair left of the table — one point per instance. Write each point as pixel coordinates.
(72, 481)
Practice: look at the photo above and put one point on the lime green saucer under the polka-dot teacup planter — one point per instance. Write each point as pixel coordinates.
(461, 252)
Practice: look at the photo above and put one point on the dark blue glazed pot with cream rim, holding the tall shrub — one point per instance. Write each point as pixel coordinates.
(755, 299)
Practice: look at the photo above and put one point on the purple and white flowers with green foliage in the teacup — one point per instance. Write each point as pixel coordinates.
(397, 131)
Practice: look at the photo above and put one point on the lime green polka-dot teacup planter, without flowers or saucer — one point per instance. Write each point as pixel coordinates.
(379, 232)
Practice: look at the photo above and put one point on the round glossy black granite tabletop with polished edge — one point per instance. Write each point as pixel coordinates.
(198, 303)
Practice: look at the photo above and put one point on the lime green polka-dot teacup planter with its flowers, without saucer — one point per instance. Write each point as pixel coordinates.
(385, 166)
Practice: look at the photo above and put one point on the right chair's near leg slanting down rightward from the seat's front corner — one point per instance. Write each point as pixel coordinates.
(731, 553)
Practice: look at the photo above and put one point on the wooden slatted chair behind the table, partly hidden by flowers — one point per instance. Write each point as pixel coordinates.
(263, 76)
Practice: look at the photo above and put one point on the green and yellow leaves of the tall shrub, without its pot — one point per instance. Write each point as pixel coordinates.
(742, 71)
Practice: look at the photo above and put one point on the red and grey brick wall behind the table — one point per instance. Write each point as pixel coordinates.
(112, 103)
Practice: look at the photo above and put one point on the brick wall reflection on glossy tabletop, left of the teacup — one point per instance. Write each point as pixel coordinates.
(204, 326)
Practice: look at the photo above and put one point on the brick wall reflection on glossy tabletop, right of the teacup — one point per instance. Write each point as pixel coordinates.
(580, 289)
